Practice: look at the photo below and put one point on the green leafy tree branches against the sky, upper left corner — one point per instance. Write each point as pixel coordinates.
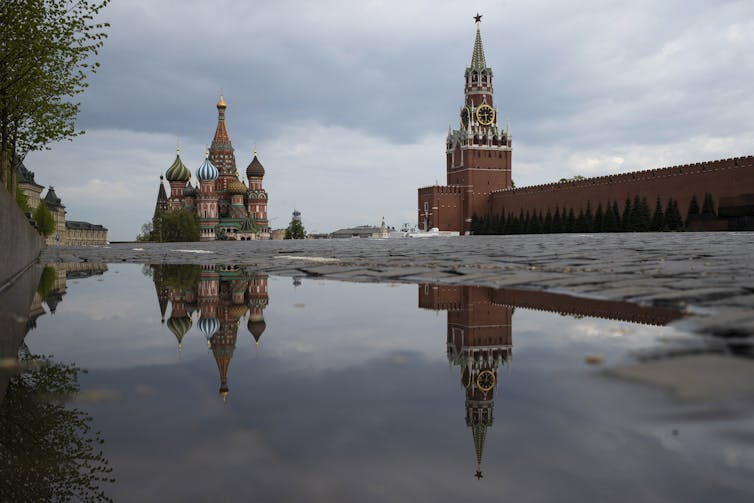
(46, 53)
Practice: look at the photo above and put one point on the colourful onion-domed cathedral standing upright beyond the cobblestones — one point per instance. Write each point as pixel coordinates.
(226, 207)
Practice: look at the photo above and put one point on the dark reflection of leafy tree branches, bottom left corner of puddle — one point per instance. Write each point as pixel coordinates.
(48, 450)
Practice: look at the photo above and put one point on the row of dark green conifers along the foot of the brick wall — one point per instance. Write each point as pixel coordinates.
(635, 217)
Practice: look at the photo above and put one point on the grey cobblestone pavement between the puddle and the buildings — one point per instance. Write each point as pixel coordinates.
(703, 272)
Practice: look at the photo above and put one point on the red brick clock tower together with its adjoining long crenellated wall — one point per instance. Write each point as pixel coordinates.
(479, 169)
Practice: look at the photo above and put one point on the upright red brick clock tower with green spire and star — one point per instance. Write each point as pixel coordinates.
(478, 152)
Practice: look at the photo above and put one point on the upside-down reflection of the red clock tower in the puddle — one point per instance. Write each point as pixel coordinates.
(479, 342)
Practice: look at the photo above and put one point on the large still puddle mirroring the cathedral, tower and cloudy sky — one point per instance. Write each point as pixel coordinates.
(215, 383)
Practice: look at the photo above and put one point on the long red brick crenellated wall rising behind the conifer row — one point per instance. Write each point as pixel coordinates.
(721, 178)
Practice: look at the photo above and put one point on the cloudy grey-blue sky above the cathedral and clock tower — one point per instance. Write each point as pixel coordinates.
(348, 103)
